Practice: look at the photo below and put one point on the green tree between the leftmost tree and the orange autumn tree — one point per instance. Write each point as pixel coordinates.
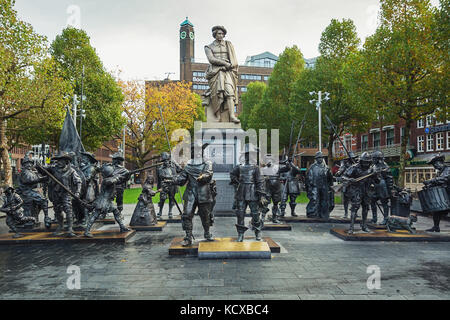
(103, 104)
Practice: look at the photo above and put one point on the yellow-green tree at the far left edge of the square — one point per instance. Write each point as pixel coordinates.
(32, 92)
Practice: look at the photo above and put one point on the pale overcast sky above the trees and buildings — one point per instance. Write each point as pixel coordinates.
(141, 37)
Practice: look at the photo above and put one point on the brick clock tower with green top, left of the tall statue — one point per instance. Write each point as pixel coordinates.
(187, 37)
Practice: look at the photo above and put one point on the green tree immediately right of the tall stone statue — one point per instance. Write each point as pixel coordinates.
(274, 111)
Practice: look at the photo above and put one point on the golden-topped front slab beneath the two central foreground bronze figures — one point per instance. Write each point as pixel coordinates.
(226, 248)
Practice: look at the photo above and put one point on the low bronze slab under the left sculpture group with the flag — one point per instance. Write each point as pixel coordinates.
(46, 237)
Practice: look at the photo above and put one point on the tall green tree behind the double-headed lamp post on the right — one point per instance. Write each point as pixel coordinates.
(338, 41)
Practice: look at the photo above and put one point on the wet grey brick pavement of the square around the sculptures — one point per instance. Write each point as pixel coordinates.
(313, 264)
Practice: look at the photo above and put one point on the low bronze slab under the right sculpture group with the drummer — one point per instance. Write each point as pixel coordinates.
(398, 236)
